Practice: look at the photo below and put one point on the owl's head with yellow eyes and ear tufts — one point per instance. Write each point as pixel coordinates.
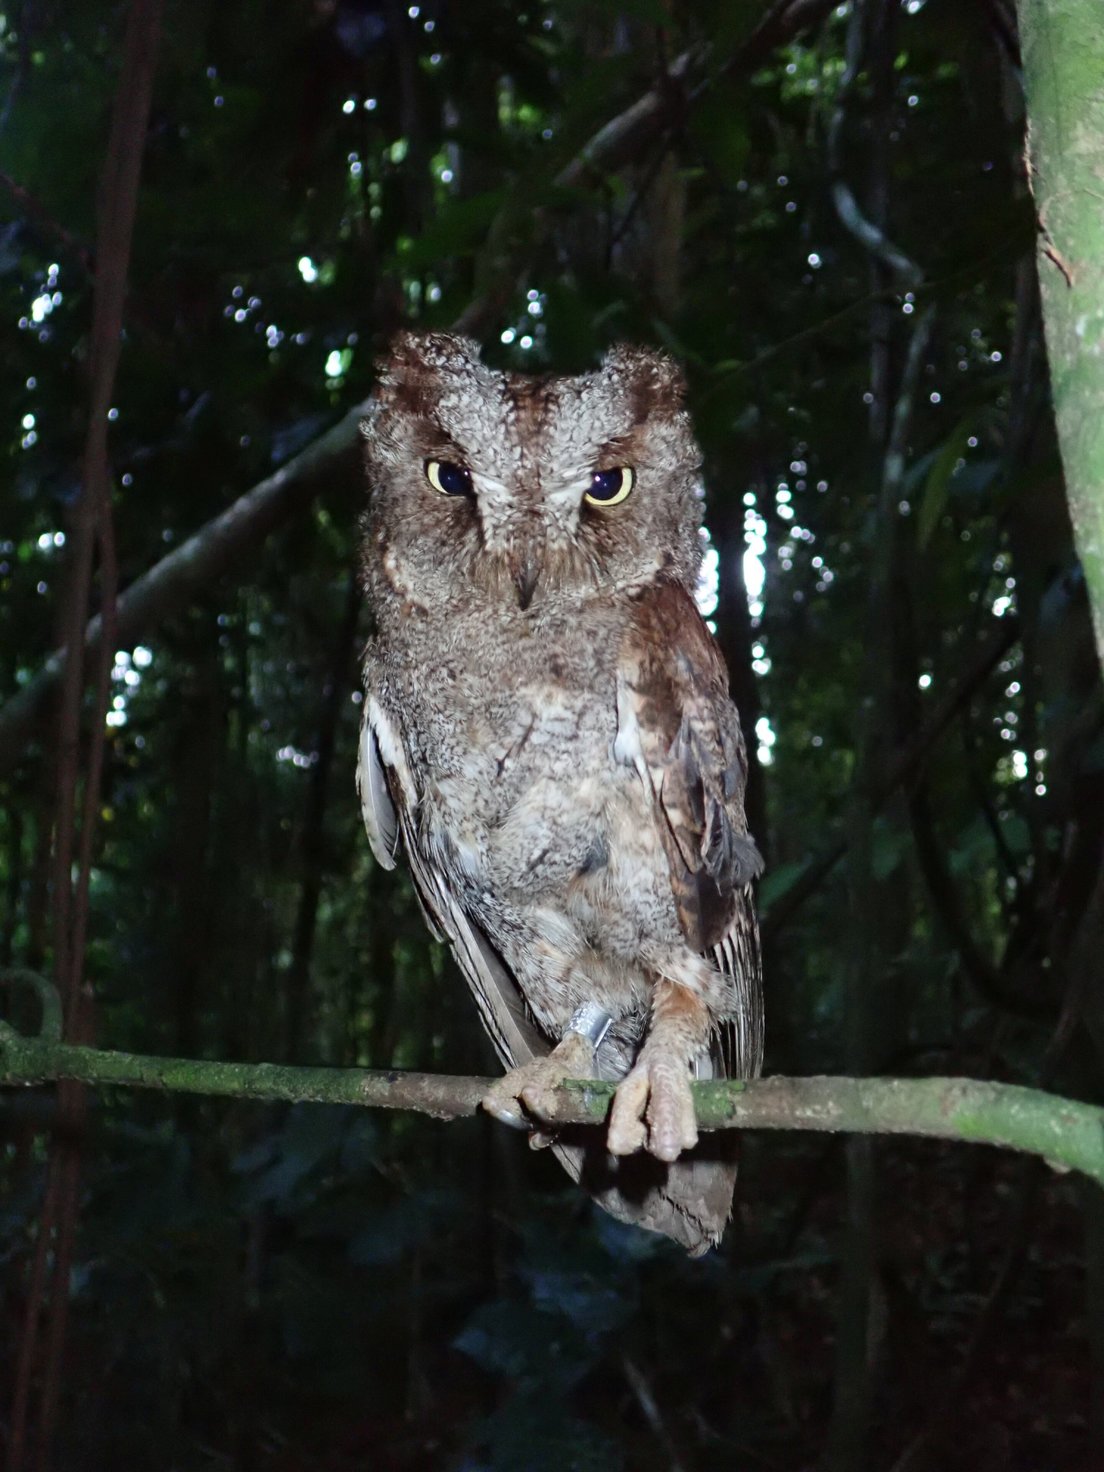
(528, 489)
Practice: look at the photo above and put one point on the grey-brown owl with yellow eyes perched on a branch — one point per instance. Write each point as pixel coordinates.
(548, 738)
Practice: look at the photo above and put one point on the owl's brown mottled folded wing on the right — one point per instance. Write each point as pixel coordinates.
(679, 728)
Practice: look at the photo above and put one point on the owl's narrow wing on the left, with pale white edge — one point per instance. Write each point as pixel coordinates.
(389, 802)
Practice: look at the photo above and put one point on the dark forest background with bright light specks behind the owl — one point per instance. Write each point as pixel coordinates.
(822, 211)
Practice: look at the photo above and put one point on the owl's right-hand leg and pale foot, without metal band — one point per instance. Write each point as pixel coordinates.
(654, 1108)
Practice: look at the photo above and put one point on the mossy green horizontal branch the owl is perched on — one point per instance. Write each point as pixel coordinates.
(1065, 1133)
